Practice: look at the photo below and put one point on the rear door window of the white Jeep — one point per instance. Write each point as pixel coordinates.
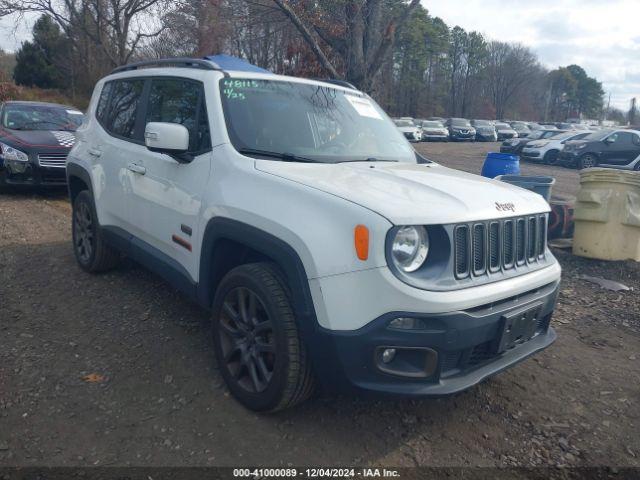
(120, 117)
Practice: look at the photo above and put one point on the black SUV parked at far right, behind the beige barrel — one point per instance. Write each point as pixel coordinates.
(604, 148)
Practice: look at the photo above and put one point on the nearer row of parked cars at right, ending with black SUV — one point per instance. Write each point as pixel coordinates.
(617, 148)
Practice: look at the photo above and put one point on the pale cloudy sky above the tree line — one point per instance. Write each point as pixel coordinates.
(602, 36)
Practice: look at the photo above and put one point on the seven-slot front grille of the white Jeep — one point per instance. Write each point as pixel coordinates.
(483, 248)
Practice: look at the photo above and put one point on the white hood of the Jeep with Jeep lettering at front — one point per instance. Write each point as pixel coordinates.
(409, 194)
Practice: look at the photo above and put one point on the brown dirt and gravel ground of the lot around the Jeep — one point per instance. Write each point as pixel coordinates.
(116, 370)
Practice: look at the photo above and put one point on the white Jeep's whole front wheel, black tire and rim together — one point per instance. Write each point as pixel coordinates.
(259, 353)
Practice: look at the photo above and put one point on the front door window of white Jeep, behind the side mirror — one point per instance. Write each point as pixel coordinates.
(180, 101)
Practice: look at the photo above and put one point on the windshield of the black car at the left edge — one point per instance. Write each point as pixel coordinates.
(40, 117)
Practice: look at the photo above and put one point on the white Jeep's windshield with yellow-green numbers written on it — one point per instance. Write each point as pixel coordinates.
(315, 122)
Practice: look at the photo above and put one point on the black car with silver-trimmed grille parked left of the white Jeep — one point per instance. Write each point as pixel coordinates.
(35, 139)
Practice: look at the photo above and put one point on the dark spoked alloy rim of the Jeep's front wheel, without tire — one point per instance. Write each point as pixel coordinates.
(247, 340)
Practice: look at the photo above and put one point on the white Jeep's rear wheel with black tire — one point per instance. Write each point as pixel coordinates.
(92, 252)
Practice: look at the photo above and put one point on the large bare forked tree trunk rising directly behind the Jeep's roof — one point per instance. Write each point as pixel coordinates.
(360, 32)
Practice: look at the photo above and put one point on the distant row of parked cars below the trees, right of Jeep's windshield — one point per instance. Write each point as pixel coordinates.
(462, 129)
